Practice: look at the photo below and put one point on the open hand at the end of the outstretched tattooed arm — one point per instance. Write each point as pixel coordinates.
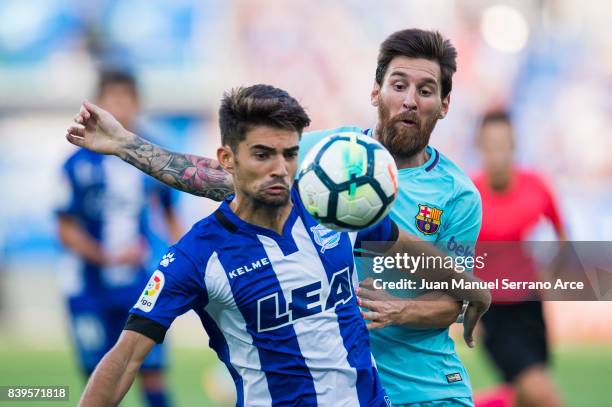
(97, 130)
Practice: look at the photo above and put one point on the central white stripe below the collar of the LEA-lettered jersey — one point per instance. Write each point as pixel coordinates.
(319, 337)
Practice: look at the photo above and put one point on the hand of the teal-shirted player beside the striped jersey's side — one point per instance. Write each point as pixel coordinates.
(382, 308)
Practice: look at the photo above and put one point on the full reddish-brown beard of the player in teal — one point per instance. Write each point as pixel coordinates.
(402, 141)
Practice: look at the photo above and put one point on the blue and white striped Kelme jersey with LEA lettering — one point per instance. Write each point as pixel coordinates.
(279, 309)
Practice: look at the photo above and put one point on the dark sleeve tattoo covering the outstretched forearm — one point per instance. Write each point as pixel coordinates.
(188, 173)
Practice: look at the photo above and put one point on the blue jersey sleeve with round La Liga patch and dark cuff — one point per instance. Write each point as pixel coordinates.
(173, 289)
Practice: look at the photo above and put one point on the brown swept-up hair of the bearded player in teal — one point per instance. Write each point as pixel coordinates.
(416, 43)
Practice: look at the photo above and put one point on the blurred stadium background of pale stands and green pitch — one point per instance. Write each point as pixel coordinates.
(549, 61)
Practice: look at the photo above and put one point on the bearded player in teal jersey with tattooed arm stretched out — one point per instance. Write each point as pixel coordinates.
(436, 201)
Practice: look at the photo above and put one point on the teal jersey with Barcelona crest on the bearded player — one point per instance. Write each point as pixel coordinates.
(438, 203)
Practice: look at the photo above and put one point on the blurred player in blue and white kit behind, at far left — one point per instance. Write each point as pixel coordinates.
(104, 219)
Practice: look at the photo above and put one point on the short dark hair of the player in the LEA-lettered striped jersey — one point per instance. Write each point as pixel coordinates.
(258, 105)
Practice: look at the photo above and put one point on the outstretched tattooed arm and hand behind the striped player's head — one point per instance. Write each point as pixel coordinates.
(97, 130)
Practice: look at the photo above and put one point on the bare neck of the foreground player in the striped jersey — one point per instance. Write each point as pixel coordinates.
(256, 213)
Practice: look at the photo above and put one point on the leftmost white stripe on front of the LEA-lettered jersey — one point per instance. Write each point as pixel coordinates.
(244, 357)
